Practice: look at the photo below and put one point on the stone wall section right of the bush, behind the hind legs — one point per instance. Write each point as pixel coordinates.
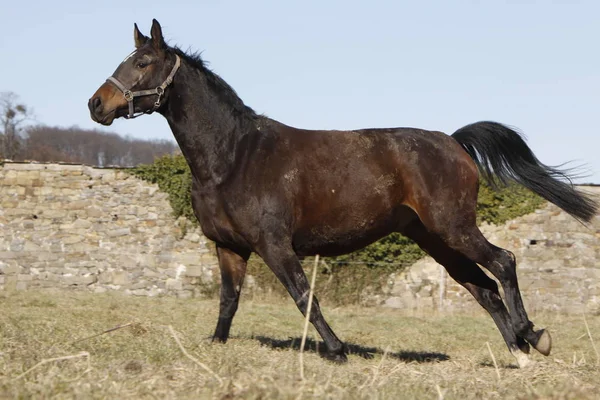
(558, 266)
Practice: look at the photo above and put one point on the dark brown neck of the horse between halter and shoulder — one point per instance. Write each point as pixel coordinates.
(206, 129)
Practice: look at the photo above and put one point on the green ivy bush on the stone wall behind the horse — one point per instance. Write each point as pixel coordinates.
(349, 275)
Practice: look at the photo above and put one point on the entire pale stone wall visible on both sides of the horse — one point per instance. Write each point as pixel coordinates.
(98, 229)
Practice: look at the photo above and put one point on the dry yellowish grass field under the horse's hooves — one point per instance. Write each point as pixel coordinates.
(46, 350)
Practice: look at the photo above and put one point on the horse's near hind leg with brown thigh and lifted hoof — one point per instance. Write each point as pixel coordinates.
(446, 203)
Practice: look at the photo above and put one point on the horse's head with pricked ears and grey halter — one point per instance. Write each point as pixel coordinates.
(139, 83)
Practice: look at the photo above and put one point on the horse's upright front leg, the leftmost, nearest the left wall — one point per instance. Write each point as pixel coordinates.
(233, 269)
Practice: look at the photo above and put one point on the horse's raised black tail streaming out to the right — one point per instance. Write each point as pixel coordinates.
(502, 155)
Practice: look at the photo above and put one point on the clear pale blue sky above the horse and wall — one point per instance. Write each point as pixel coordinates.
(335, 64)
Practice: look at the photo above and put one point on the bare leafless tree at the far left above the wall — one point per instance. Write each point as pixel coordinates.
(13, 118)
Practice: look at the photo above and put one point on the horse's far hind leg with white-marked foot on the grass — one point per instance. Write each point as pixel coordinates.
(470, 276)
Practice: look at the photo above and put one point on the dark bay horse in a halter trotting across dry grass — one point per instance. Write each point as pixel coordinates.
(281, 192)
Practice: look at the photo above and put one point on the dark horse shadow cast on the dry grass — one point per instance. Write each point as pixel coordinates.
(355, 349)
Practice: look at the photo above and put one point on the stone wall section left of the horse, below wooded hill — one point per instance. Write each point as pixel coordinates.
(74, 226)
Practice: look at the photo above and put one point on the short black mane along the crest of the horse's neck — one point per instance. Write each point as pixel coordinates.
(221, 88)
